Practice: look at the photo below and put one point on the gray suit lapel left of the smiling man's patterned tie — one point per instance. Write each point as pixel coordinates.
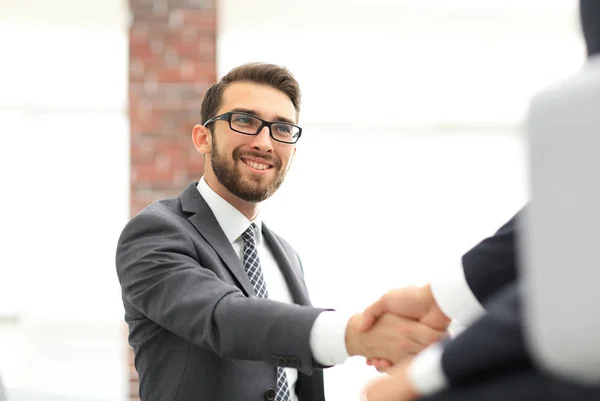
(205, 222)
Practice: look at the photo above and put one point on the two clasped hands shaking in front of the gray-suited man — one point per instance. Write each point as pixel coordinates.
(396, 327)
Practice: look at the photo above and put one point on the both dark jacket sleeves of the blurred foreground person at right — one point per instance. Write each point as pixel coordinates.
(495, 342)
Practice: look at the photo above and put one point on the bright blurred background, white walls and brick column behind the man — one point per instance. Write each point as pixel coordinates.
(411, 152)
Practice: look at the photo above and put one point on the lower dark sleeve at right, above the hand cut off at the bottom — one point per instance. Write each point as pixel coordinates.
(492, 345)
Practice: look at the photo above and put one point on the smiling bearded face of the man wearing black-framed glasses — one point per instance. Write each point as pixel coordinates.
(251, 167)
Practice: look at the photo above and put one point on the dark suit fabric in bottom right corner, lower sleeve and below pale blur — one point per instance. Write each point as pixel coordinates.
(490, 361)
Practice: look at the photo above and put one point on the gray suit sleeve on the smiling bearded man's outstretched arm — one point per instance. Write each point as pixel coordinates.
(161, 278)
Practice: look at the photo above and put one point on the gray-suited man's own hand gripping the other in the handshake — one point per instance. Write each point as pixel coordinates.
(392, 338)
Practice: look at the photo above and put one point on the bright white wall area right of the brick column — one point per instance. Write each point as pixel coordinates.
(411, 151)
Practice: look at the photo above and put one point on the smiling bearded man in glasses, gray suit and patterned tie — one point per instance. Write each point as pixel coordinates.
(216, 302)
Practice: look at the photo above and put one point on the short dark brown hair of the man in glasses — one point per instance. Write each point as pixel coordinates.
(261, 73)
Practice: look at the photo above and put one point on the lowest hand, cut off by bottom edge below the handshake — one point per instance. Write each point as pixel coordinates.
(395, 387)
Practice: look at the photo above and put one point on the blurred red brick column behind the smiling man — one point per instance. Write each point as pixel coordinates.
(171, 65)
